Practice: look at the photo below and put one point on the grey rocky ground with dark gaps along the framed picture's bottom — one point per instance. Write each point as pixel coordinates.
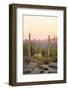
(34, 68)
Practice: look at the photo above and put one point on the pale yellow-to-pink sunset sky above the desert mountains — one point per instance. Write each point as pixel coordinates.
(40, 27)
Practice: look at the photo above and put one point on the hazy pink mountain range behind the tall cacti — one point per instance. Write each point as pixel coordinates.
(43, 43)
